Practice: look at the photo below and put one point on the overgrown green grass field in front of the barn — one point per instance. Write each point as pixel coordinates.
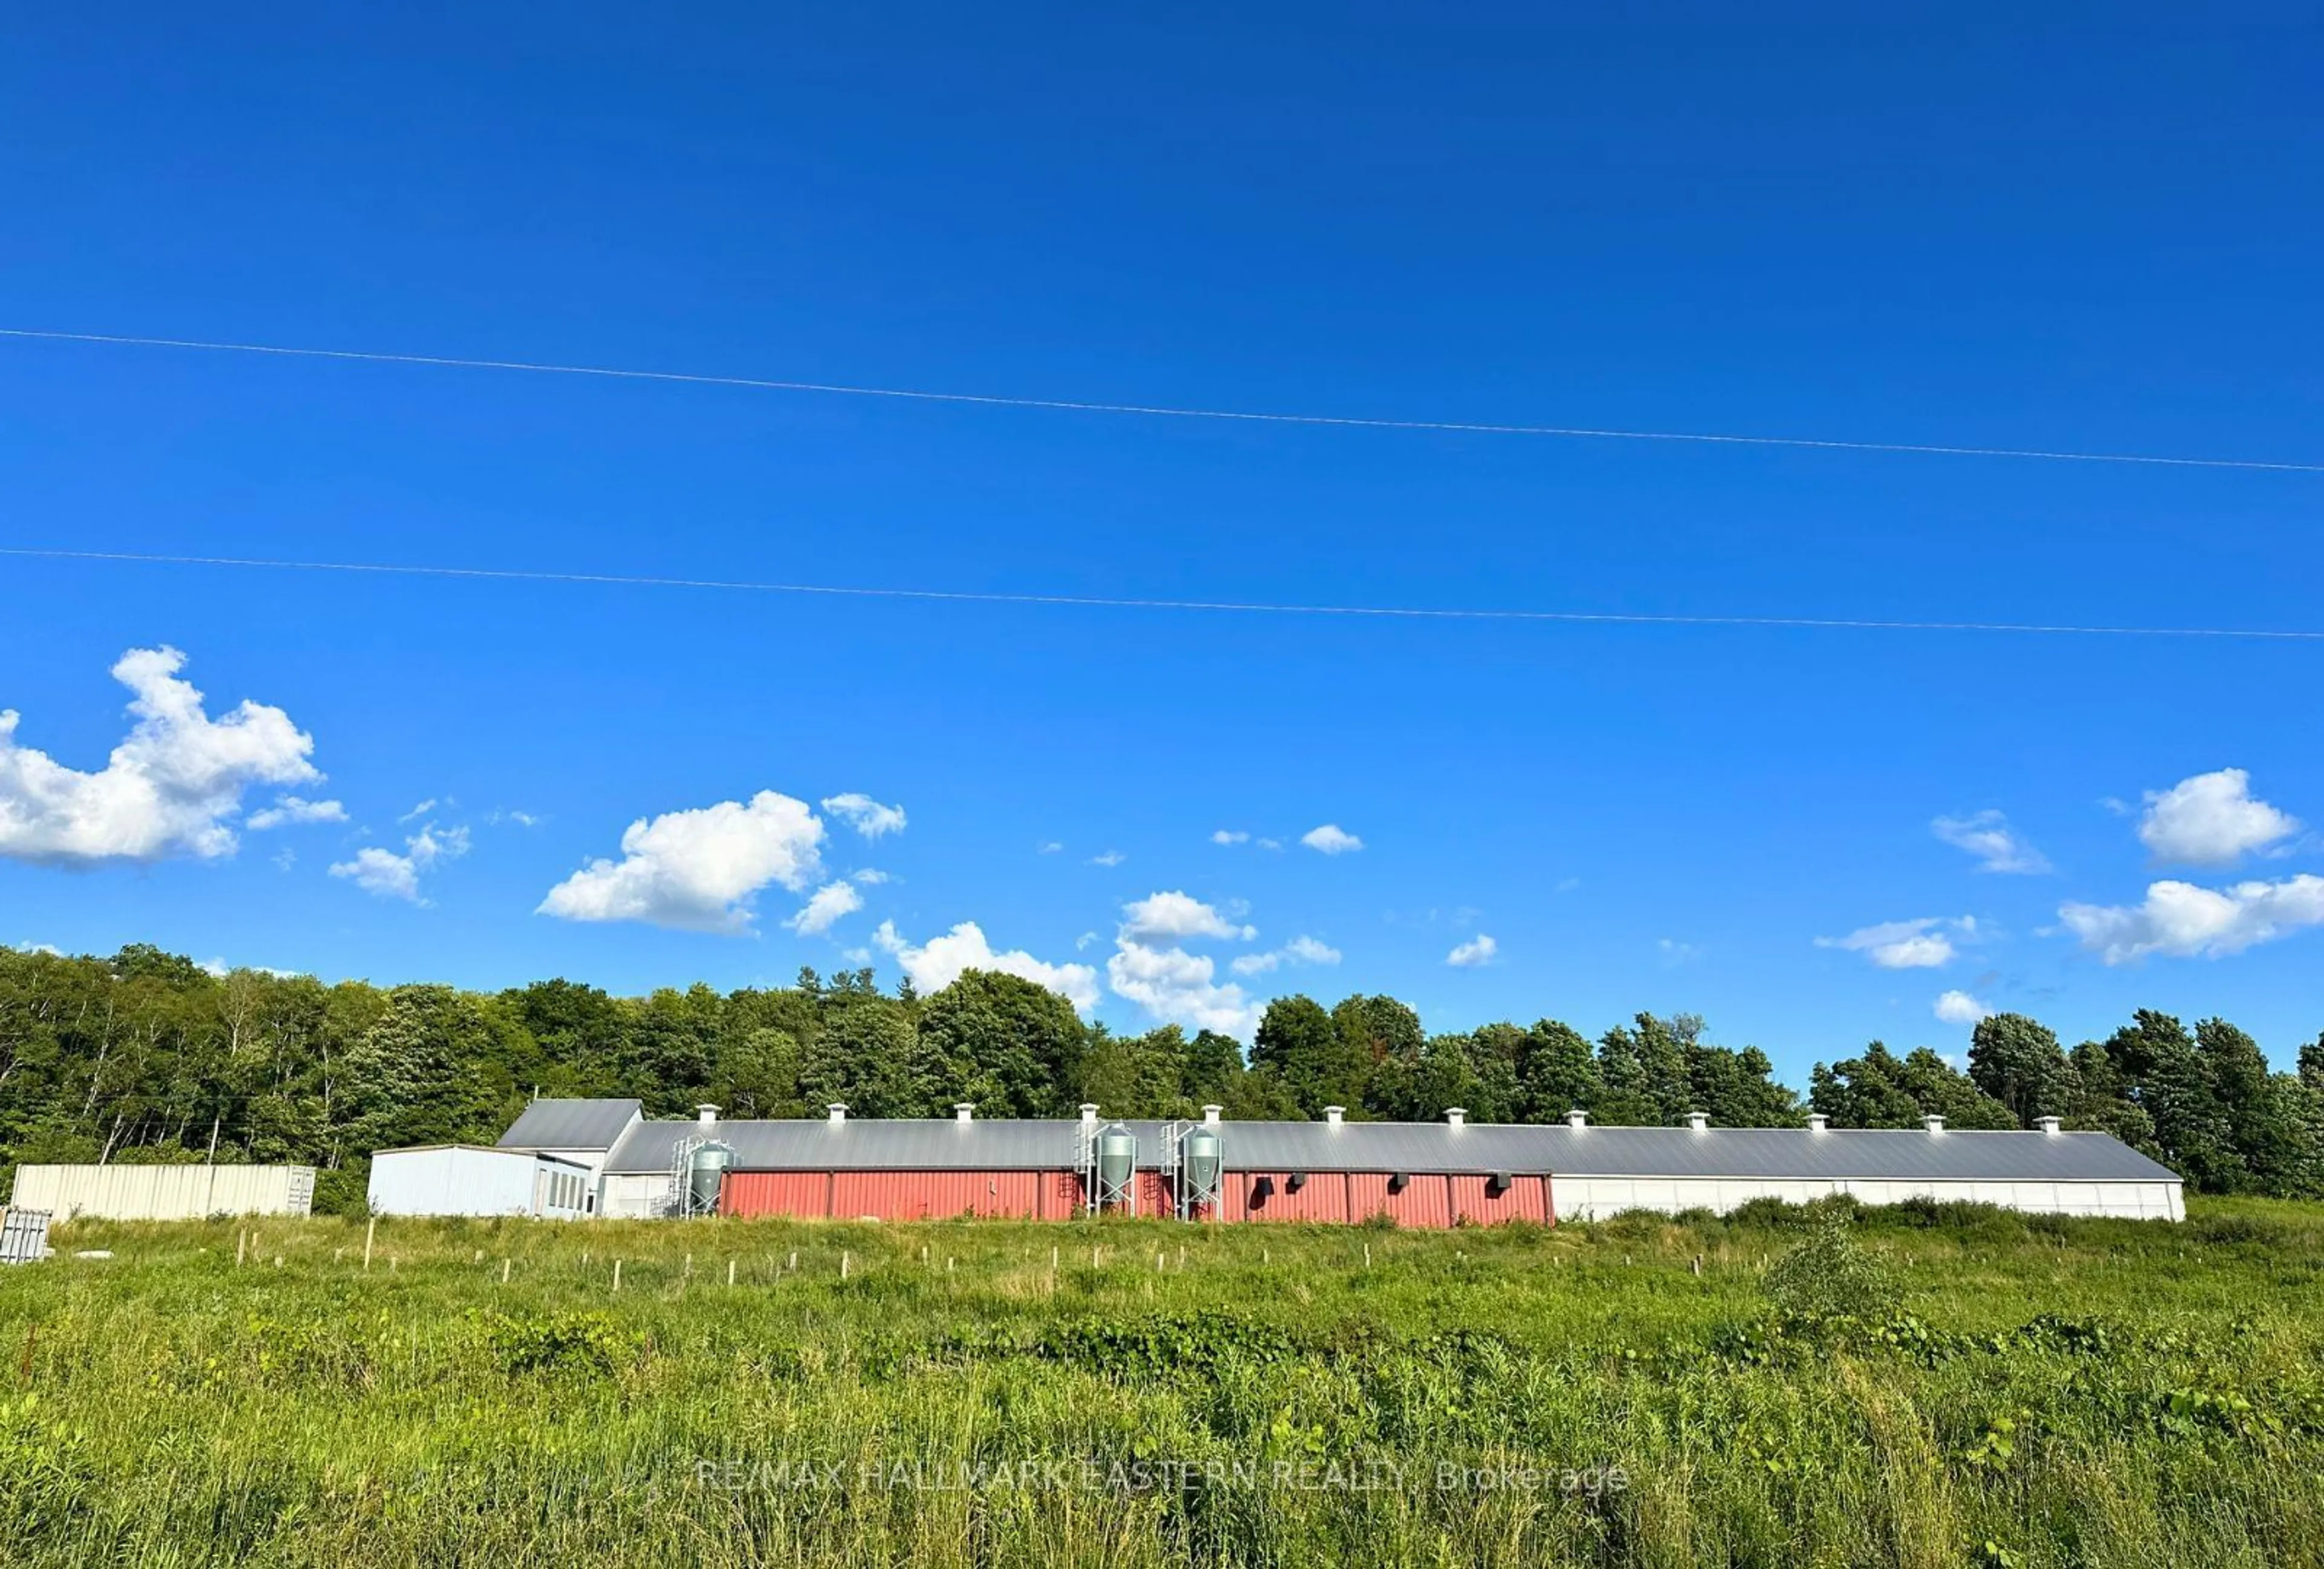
(1623, 1394)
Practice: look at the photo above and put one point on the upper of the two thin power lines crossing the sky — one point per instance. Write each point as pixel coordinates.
(1073, 406)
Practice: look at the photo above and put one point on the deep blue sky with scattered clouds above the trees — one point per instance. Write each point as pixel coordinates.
(2086, 231)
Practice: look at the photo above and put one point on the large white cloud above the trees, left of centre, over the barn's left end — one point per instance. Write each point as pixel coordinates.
(698, 871)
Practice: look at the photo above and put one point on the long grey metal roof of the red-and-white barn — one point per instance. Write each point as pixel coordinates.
(942, 1145)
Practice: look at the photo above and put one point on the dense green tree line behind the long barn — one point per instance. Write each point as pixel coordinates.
(148, 1059)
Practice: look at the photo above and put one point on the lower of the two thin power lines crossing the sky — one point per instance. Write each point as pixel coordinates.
(1240, 608)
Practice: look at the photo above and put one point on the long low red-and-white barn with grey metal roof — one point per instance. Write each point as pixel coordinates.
(1330, 1173)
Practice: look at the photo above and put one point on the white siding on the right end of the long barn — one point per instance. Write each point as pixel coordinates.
(1595, 1198)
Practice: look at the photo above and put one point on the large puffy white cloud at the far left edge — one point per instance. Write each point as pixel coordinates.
(168, 789)
